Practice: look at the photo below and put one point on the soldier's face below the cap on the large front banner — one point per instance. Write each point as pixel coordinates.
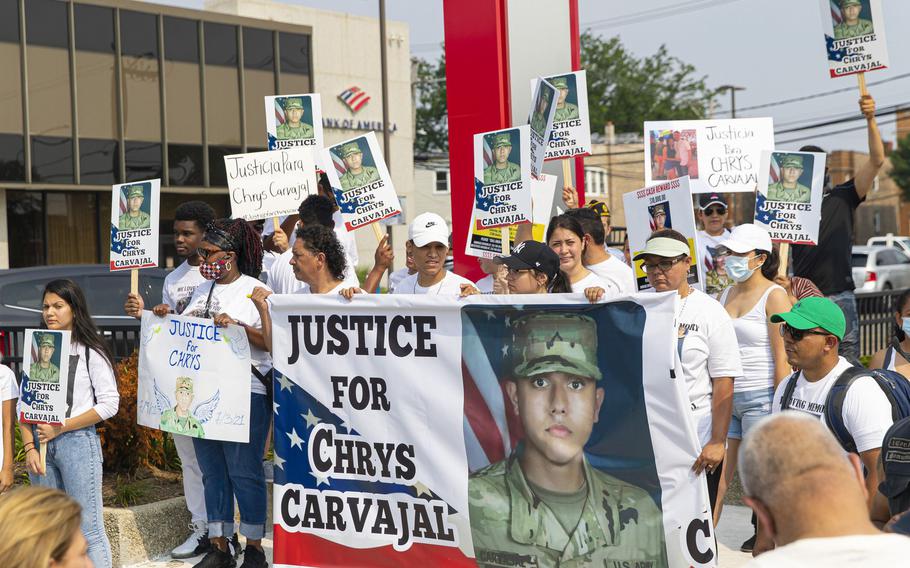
(557, 412)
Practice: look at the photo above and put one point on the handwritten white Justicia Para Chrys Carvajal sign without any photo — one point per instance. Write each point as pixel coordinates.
(270, 184)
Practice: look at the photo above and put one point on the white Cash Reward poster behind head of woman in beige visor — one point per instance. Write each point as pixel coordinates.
(664, 206)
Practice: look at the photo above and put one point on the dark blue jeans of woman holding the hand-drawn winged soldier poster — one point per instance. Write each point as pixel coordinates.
(234, 469)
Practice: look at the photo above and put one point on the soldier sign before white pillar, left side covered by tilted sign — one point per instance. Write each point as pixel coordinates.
(571, 134)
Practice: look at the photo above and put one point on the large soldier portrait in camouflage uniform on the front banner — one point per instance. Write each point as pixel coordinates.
(545, 505)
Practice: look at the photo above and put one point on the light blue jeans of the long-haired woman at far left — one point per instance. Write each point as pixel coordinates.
(74, 467)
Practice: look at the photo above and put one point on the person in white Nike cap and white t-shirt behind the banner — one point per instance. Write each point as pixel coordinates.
(428, 238)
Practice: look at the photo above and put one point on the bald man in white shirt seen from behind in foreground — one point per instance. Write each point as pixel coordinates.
(810, 500)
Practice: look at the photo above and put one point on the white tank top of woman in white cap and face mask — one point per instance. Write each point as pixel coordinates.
(754, 345)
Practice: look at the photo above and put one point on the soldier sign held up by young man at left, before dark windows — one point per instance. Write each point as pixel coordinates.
(134, 224)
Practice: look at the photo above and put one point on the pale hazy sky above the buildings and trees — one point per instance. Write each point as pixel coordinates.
(773, 48)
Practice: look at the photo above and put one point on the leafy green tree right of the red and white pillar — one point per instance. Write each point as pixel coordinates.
(628, 91)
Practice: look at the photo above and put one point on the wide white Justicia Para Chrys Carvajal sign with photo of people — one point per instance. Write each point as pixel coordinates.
(717, 155)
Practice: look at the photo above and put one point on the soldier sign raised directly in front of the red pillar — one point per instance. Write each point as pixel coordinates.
(502, 178)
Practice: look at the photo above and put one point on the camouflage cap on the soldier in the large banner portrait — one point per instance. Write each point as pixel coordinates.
(545, 343)
